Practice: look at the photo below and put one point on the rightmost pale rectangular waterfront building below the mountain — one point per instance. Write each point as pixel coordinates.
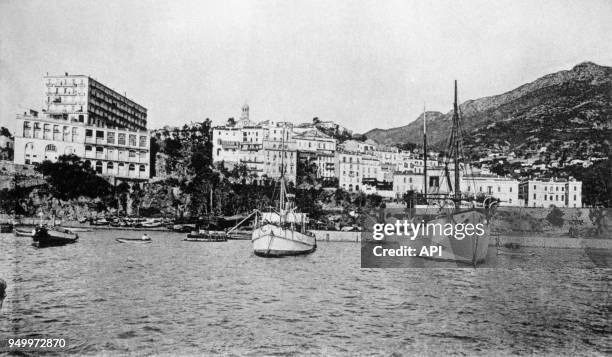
(551, 192)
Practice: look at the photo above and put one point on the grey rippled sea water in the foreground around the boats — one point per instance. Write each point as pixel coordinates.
(175, 297)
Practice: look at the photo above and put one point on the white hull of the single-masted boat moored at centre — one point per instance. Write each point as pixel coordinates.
(274, 241)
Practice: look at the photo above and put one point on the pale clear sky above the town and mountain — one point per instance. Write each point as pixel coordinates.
(363, 64)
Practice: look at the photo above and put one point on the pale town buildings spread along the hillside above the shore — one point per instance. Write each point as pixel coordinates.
(109, 132)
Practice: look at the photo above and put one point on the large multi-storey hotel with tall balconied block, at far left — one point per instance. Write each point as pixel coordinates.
(85, 118)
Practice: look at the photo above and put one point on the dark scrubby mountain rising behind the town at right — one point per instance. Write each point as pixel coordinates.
(569, 109)
